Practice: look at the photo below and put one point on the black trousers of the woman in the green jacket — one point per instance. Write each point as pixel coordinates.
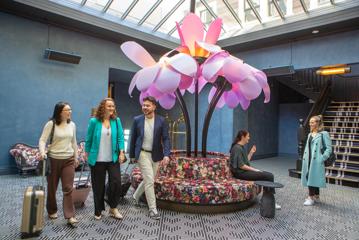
(98, 179)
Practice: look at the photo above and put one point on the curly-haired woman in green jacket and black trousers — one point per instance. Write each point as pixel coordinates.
(104, 149)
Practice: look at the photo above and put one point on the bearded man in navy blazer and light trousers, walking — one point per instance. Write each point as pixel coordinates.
(149, 144)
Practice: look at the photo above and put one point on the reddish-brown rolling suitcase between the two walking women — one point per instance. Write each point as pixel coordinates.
(81, 189)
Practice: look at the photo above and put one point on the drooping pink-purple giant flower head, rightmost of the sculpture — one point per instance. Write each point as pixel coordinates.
(246, 81)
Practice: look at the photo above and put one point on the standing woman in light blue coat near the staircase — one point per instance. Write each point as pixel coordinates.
(313, 170)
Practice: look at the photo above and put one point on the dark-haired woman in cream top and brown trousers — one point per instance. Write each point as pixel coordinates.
(62, 154)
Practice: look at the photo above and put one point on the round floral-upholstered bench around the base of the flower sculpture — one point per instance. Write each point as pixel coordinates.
(199, 185)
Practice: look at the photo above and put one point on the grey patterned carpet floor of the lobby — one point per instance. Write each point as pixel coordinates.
(336, 217)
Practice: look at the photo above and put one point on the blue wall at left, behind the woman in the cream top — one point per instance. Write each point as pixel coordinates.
(31, 85)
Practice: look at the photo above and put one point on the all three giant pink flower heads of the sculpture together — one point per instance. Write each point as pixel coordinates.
(181, 71)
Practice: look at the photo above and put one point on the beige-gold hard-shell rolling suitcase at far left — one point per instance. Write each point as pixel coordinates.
(32, 221)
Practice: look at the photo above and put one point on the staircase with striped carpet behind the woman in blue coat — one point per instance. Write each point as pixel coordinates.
(341, 120)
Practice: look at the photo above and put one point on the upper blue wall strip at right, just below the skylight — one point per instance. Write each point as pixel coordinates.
(320, 51)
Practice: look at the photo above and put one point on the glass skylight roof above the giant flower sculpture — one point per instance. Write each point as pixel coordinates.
(239, 16)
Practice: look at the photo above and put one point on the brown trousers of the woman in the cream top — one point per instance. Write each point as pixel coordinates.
(63, 169)
